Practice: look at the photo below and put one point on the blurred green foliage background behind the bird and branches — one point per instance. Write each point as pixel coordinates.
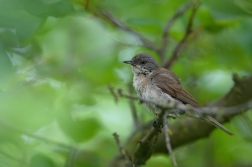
(57, 58)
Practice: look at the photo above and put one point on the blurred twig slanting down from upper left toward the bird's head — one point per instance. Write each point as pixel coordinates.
(109, 16)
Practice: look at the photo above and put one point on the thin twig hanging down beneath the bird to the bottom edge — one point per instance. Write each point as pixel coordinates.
(167, 140)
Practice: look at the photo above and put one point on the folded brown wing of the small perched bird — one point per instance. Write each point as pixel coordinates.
(169, 83)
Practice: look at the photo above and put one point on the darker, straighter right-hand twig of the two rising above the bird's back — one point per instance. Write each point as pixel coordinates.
(182, 42)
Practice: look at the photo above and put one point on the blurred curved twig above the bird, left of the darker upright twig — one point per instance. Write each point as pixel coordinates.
(167, 28)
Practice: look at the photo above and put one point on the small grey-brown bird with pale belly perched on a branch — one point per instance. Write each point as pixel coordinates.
(160, 85)
